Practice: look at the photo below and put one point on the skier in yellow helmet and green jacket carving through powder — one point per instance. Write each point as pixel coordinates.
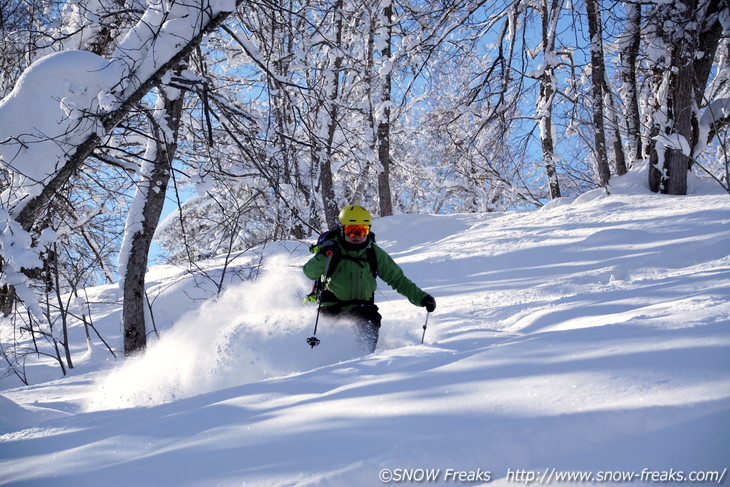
(354, 263)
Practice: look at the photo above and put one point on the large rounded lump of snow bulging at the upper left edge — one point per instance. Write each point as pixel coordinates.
(53, 108)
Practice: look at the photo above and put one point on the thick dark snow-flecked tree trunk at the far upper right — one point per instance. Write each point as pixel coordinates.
(684, 38)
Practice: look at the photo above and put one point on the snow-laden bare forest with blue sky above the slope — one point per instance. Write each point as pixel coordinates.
(258, 120)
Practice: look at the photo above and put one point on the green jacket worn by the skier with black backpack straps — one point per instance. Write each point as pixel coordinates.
(352, 279)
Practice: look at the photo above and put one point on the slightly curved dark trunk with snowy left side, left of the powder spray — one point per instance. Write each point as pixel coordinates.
(151, 192)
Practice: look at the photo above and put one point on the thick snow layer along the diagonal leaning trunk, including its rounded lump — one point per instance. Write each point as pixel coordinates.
(67, 98)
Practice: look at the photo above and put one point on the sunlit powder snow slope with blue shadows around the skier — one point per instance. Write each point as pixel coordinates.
(590, 336)
